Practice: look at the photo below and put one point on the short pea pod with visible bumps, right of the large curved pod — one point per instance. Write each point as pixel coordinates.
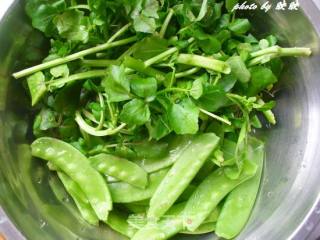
(120, 168)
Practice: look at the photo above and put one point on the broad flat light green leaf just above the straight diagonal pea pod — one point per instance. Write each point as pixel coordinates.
(183, 117)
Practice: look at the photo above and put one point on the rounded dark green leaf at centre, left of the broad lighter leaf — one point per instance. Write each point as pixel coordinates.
(135, 112)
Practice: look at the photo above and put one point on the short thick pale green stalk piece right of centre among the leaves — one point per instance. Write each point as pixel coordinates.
(204, 62)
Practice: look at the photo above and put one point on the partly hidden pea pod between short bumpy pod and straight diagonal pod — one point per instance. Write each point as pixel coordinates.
(176, 147)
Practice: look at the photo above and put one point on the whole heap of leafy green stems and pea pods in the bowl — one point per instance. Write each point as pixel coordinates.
(158, 97)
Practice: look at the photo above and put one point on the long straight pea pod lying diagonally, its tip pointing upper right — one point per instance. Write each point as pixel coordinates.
(182, 173)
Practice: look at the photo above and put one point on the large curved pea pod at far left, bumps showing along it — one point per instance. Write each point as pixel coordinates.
(72, 162)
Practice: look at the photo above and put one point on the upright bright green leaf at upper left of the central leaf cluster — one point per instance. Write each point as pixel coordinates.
(117, 85)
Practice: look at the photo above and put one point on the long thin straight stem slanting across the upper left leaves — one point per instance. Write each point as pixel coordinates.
(73, 57)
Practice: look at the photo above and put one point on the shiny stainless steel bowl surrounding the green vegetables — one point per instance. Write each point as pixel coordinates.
(288, 206)
